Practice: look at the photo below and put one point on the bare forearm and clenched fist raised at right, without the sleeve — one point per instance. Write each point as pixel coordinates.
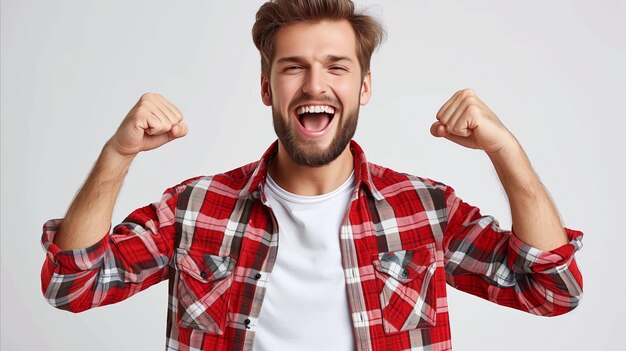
(467, 121)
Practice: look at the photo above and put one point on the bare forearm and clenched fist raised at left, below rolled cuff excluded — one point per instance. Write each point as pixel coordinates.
(152, 122)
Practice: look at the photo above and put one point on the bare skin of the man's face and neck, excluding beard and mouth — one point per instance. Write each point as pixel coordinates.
(314, 77)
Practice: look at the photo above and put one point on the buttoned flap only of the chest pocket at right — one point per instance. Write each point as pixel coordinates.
(405, 265)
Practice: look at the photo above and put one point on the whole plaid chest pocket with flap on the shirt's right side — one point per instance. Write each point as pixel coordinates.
(407, 288)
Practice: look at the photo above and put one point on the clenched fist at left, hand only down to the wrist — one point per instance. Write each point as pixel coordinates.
(152, 122)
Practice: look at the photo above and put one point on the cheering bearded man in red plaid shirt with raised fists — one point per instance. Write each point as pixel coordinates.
(312, 247)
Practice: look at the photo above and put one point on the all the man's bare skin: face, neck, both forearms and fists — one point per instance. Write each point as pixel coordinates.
(464, 119)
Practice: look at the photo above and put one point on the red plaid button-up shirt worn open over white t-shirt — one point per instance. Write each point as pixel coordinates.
(402, 239)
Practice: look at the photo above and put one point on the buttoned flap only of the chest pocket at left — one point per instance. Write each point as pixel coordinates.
(204, 267)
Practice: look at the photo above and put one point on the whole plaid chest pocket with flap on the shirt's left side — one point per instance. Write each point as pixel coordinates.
(203, 290)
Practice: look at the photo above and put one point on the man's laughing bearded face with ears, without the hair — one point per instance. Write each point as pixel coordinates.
(315, 89)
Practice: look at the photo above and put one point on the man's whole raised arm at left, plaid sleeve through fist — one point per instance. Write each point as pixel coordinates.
(86, 266)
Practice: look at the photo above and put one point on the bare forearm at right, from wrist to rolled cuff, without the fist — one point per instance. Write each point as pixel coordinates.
(535, 217)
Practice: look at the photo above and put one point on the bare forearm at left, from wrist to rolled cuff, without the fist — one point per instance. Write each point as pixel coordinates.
(89, 216)
